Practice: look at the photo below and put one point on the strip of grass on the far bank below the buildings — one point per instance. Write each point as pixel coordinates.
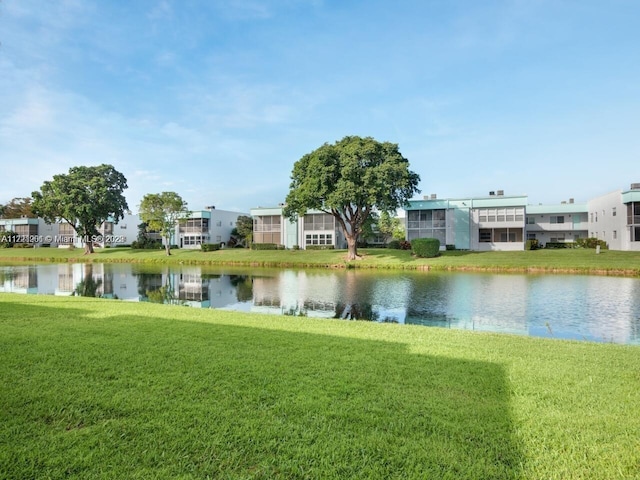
(573, 261)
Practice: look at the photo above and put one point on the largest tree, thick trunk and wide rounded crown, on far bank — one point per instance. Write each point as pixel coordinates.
(348, 179)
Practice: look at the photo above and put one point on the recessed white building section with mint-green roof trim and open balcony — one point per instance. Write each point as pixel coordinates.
(557, 223)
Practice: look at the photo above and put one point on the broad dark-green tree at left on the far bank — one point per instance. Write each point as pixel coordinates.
(85, 198)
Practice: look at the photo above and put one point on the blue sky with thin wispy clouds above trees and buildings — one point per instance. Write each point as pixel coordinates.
(216, 100)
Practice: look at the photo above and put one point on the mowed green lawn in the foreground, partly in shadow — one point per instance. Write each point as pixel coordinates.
(94, 388)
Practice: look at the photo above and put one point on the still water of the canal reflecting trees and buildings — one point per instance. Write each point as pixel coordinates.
(579, 307)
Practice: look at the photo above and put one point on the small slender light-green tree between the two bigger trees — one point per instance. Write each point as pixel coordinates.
(161, 212)
